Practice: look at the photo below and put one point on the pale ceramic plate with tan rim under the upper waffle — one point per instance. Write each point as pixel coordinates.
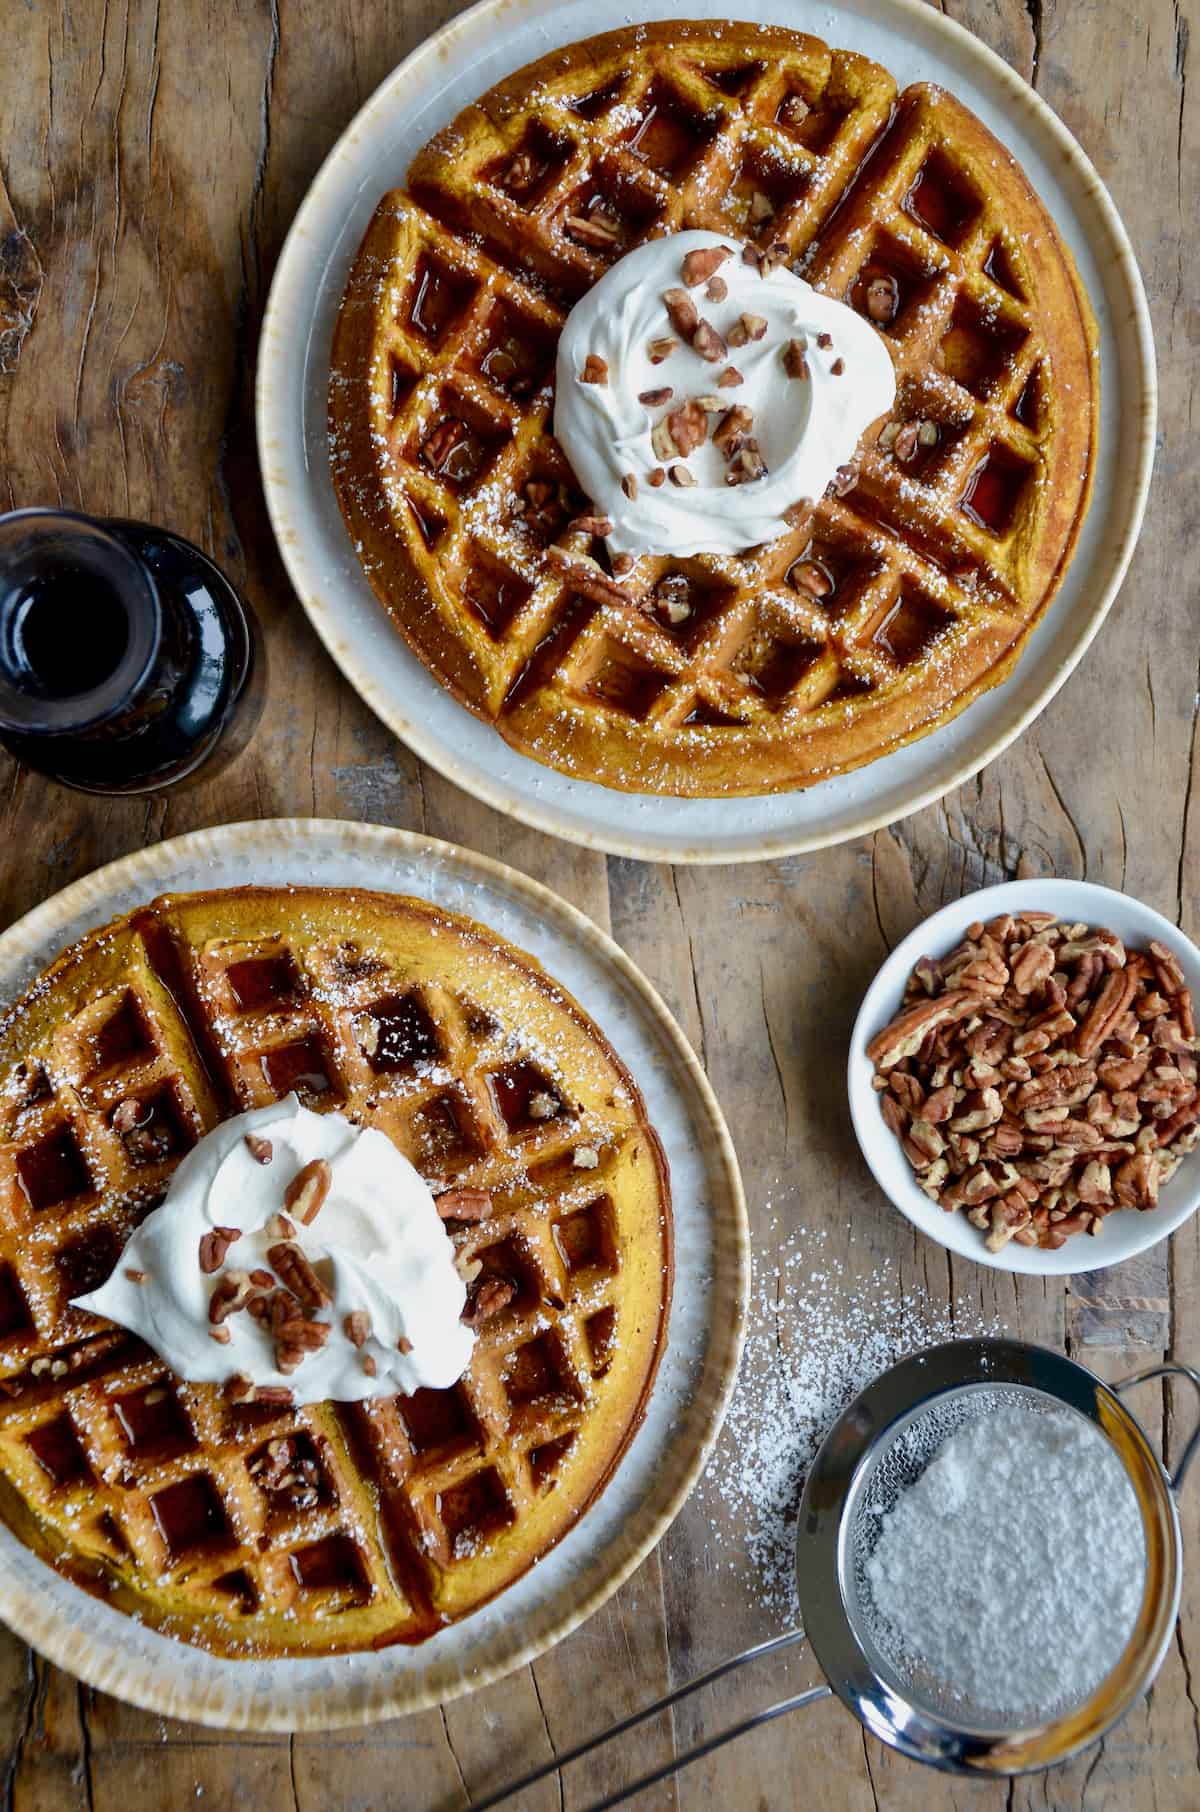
(450, 70)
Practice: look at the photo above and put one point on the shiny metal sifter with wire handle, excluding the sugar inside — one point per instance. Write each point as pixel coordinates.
(880, 1445)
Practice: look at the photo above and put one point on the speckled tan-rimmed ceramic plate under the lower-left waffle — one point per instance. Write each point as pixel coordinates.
(704, 1340)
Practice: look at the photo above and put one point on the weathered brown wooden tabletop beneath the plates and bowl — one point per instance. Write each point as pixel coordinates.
(151, 159)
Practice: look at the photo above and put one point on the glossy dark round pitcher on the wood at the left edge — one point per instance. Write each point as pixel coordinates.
(128, 660)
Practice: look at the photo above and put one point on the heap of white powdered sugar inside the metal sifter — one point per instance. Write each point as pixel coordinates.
(1021, 1610)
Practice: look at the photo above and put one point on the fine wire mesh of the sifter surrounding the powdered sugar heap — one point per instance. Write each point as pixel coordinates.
(889, 1472)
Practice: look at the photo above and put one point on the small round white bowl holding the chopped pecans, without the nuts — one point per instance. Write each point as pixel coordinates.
(1127, 1231)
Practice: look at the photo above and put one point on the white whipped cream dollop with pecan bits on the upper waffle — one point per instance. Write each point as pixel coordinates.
(811, 380)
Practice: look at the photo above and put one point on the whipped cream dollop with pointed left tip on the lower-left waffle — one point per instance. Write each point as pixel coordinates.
(376, 1248)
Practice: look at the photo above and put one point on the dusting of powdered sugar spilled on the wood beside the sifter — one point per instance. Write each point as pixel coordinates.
(818, 1335)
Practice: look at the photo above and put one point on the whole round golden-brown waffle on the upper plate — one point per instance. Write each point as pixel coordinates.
(884, 612)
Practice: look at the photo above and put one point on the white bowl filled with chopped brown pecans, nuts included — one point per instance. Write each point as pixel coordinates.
(1025, 1077)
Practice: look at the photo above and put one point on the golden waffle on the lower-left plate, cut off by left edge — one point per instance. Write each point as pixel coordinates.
(266, 1530)
